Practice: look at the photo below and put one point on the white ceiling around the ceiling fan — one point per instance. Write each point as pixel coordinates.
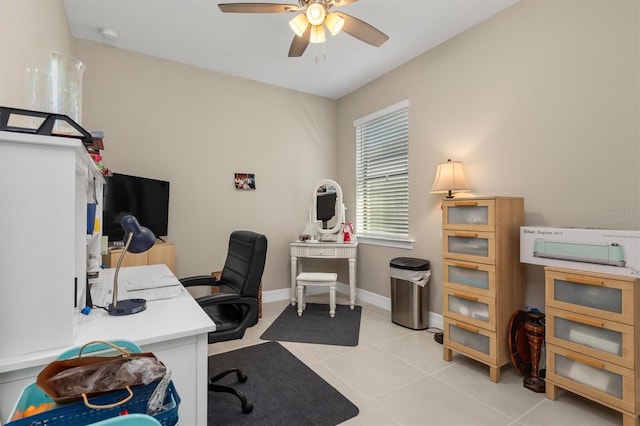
(255, 46)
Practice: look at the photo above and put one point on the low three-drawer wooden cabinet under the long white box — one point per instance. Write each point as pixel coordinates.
(592, 338)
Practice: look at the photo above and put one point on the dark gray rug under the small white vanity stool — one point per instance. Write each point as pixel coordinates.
(316, 326)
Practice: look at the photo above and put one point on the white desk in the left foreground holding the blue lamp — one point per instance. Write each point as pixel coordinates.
(175, 330)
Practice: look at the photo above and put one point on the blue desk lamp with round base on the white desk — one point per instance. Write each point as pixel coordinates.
(138, 239)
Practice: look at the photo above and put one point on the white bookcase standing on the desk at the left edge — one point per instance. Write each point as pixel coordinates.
(45, 185)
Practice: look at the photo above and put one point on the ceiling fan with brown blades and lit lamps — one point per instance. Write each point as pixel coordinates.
(313, 16)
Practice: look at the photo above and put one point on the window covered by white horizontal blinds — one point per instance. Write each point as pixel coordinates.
(382, 175)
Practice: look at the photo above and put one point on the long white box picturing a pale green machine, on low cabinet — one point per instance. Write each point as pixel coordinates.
(615, 252)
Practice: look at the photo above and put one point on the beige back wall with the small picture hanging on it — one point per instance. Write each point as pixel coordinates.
(196, 128)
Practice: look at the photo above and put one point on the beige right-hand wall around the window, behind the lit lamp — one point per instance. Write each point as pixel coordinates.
(540, 101)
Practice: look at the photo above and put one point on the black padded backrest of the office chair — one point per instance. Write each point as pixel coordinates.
(245, 262)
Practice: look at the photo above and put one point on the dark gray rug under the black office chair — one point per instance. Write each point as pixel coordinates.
(282, 389)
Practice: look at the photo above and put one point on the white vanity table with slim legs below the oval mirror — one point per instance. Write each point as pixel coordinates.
(323, 250)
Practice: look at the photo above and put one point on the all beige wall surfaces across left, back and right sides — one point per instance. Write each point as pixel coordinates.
(540, 101)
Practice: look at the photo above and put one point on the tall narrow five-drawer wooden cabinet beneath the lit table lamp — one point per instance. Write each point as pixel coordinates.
(483, 278)
